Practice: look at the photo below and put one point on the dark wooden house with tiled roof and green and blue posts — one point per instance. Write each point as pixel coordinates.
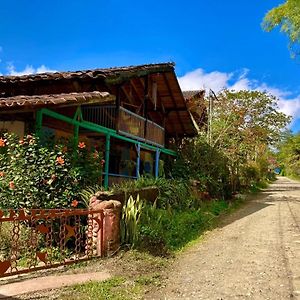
(131, 113)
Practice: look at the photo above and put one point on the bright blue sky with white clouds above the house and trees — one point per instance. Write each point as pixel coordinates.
(215, 44)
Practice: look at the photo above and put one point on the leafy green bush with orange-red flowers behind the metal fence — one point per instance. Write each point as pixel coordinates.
(37, 176)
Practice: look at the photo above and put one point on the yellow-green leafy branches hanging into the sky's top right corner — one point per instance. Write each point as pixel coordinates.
(287, 17)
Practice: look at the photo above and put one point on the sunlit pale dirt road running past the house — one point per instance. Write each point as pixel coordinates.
(255, 255)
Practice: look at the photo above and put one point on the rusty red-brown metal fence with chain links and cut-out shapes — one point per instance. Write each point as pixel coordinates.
(40, 239)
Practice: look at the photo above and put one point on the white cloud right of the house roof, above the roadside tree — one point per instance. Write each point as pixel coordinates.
(239, 80)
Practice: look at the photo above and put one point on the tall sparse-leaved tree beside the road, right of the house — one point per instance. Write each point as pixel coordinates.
(243, 125)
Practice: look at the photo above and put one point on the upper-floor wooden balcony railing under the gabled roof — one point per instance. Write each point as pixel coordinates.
(127, 123)
